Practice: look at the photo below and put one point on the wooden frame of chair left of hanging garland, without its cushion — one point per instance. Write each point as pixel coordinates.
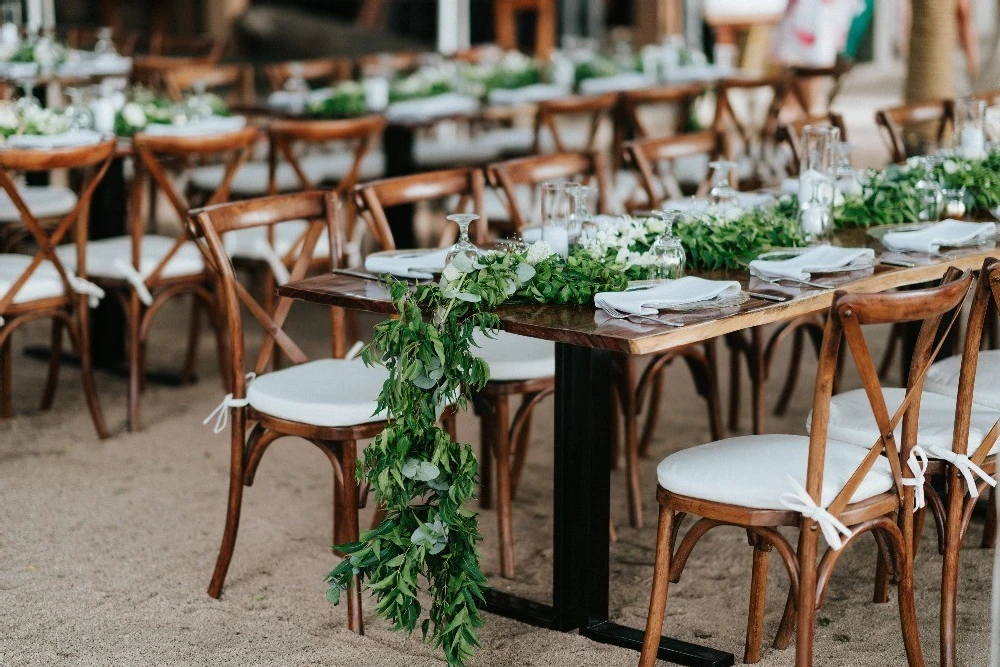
(339, 444)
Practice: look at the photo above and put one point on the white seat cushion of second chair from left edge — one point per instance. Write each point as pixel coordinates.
(101, 256)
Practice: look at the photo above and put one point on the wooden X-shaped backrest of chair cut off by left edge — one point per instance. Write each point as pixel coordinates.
(93, 162)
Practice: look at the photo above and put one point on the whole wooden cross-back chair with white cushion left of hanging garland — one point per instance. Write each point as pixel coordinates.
(329, 402)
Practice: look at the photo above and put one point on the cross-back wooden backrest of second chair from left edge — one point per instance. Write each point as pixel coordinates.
(157, 156)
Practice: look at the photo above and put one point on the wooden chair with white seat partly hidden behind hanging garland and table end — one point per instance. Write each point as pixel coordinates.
(519, 366)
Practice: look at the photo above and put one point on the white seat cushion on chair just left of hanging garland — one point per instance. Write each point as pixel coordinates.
(327, 392)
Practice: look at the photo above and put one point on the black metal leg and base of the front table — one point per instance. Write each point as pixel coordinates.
(582, 499)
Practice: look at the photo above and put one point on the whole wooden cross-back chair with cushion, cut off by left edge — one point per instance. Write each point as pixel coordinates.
(51, 284)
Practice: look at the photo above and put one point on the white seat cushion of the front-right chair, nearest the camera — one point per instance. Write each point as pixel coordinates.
(750, 471)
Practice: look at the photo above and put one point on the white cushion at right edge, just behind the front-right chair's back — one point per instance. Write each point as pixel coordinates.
(851, 419)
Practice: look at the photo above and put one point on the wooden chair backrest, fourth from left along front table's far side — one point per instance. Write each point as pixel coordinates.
(653, 160)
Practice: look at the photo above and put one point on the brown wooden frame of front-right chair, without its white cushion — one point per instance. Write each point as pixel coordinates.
(888, 516)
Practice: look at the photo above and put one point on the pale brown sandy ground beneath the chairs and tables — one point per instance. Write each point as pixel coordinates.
(107, 547)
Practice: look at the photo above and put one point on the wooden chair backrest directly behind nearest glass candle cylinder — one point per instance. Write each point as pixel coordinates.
(585, 167)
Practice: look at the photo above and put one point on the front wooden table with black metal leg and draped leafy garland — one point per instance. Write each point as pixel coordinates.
(585, 342)
